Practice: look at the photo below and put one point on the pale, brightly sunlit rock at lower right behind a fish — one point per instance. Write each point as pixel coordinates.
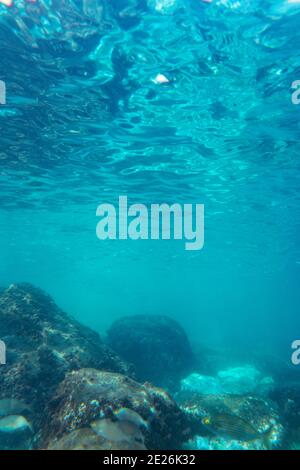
(236, 398)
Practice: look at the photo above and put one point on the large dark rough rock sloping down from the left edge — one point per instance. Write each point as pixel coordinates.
(43, 344)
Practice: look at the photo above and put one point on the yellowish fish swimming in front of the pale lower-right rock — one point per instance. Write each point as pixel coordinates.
(234, 427)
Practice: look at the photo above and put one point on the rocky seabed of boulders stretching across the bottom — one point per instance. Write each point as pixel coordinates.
(142, 387)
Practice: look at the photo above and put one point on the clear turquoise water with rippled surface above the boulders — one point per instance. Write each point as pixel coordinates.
(85, 121)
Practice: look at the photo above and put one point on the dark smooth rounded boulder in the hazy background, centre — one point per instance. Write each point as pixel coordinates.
(157, 346)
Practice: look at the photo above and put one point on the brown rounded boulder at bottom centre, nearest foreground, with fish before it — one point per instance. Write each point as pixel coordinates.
(96, 409)
